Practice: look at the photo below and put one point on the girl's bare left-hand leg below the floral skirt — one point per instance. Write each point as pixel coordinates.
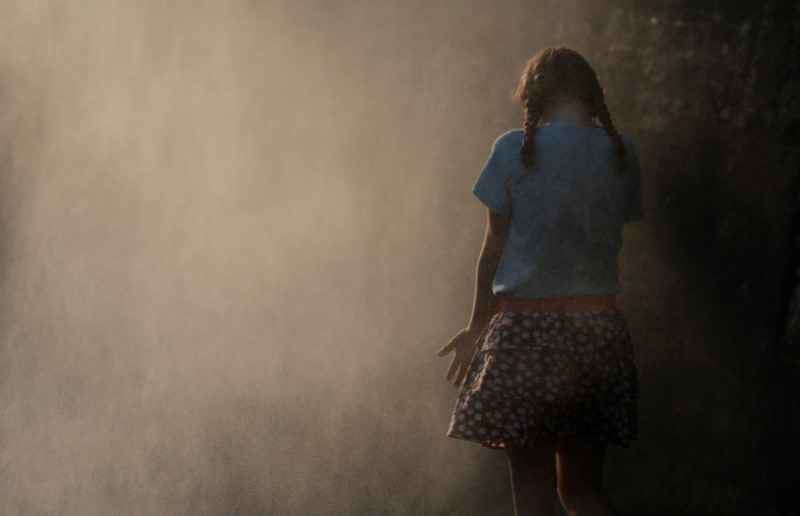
(533, 479)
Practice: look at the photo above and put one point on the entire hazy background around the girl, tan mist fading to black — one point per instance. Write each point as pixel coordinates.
(233, 237)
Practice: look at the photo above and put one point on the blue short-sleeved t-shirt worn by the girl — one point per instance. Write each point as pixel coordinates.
(567, 211)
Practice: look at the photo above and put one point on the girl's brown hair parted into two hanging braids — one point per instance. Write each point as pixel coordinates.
(559, 74)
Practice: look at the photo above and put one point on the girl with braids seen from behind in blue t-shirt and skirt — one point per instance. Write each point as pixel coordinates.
(546, 363)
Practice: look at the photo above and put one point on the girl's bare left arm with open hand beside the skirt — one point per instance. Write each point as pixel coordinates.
(464, 343)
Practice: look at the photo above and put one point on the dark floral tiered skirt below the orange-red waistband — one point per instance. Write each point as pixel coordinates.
(546, 376)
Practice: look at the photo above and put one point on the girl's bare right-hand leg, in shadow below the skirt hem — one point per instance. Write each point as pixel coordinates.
(580, 478)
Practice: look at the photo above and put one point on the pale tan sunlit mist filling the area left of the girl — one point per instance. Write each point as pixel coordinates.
(233, 236)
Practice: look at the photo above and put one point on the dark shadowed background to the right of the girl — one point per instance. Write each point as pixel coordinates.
(715, 112)
